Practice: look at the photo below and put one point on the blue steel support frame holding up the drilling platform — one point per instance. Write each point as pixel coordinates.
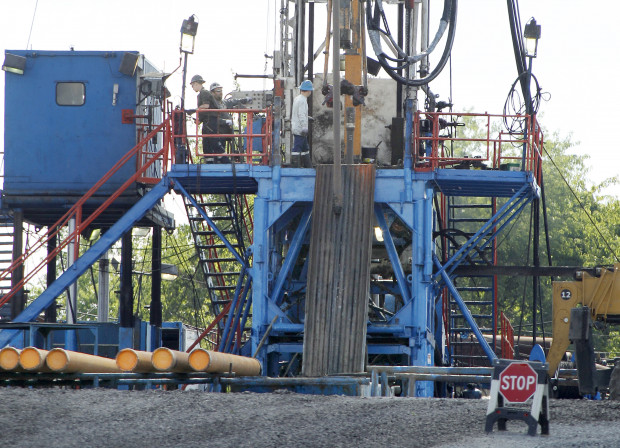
(409, 329)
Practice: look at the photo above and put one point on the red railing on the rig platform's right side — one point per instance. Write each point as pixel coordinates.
(433, 149)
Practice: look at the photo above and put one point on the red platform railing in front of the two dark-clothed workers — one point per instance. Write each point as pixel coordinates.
(242, 140)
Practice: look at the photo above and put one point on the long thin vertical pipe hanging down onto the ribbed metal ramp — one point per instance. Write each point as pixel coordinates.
(337, 207)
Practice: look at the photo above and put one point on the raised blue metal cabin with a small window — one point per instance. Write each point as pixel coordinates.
(64, 128)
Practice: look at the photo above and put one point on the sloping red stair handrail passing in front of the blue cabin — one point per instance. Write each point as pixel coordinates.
(76, 212)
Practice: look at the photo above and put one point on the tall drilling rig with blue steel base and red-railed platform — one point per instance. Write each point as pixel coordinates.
(352, 263)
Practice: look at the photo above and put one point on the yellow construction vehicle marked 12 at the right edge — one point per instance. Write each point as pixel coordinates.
(592, 298)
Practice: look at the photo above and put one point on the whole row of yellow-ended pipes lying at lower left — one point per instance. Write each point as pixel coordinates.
(32, 359)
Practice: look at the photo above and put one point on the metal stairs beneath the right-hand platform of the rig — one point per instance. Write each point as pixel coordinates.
(477, 291)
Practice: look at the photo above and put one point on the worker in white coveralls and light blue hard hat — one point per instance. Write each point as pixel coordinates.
(300, 153)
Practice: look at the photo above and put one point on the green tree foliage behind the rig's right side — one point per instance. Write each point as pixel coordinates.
(583, 230)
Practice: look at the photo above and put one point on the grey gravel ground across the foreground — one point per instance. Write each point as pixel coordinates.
(112, 418)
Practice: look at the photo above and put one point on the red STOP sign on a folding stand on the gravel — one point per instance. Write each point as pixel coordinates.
(516, 382)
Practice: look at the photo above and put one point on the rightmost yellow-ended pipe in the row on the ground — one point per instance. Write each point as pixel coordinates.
(208, 361)
